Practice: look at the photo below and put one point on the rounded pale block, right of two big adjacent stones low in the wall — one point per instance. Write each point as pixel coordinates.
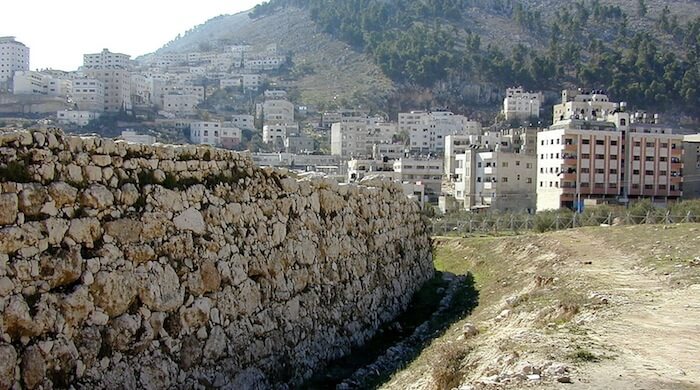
(160, 289)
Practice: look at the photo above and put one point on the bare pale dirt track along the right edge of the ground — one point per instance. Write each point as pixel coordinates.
(652, 330)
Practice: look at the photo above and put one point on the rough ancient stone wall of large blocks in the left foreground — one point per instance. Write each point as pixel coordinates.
(131, 266)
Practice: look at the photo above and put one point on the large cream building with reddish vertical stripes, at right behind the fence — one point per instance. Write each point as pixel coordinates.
(617, 158)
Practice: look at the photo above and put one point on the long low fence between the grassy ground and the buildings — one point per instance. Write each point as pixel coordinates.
(493, 223)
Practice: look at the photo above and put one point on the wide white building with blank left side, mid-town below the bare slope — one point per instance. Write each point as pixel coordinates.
(357, 139)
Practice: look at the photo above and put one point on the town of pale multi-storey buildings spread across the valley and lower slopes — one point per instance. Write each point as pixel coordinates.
(595, 151)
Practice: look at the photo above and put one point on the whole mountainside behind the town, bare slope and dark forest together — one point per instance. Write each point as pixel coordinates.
(458, 52)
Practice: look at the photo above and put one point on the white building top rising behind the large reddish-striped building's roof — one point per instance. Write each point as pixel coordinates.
(584, 105)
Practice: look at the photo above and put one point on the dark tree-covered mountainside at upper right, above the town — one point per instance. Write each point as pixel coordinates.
(642, 53)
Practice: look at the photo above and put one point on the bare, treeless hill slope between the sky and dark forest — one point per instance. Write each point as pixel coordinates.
(325, 70)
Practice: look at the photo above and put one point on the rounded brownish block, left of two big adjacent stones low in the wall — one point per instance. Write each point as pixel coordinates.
(113, 292)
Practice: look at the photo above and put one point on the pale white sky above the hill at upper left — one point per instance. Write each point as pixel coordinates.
(58, 33)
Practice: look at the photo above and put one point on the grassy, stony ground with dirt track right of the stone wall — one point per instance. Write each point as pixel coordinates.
(614, 307)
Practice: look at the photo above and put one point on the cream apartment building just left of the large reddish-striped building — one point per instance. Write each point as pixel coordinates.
(501, 179)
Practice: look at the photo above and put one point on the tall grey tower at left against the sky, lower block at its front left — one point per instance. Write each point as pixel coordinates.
(112, 69)
